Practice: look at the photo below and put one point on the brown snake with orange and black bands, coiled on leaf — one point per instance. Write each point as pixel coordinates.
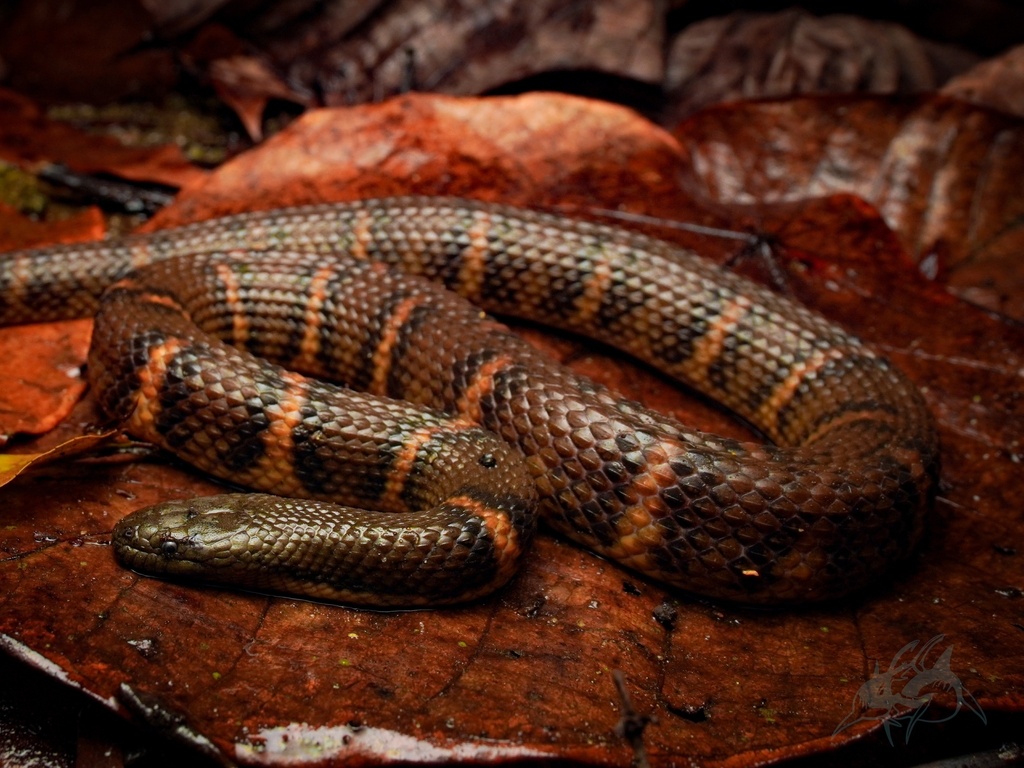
(399, 445)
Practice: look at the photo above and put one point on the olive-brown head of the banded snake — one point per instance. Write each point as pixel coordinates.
(187, 538)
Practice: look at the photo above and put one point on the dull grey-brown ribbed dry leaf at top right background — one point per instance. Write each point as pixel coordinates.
(753, 56)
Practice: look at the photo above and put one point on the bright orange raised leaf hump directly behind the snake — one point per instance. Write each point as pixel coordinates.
(501, 149)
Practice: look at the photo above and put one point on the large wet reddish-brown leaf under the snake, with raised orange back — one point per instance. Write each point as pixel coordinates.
(528, 674)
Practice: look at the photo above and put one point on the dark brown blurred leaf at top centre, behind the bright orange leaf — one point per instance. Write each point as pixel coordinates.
(362, 53)
